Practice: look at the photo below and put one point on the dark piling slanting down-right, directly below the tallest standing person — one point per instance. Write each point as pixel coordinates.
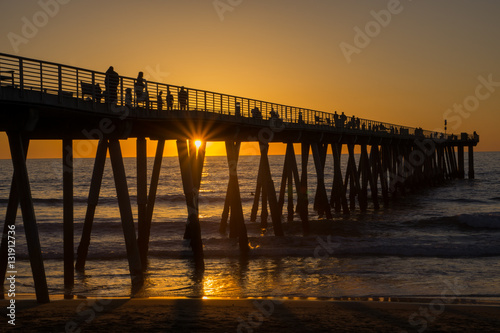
(127, 218)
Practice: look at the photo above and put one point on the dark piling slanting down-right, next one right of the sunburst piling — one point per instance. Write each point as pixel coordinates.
(236, 221)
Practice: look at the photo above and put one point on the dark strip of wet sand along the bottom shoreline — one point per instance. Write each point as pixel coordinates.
(248, 315)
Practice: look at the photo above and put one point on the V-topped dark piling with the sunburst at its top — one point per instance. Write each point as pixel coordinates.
(191, 163)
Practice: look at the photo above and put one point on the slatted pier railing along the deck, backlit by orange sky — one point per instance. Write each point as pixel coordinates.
(83, 84)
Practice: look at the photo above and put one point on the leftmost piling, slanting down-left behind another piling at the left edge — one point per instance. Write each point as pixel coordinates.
(10, 221)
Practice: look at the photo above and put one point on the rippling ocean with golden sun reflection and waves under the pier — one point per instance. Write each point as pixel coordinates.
(437, 242)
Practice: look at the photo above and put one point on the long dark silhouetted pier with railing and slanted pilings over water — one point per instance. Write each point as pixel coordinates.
(44, 100)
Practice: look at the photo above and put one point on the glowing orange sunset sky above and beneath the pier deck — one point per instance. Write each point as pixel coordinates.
(406, 62)
